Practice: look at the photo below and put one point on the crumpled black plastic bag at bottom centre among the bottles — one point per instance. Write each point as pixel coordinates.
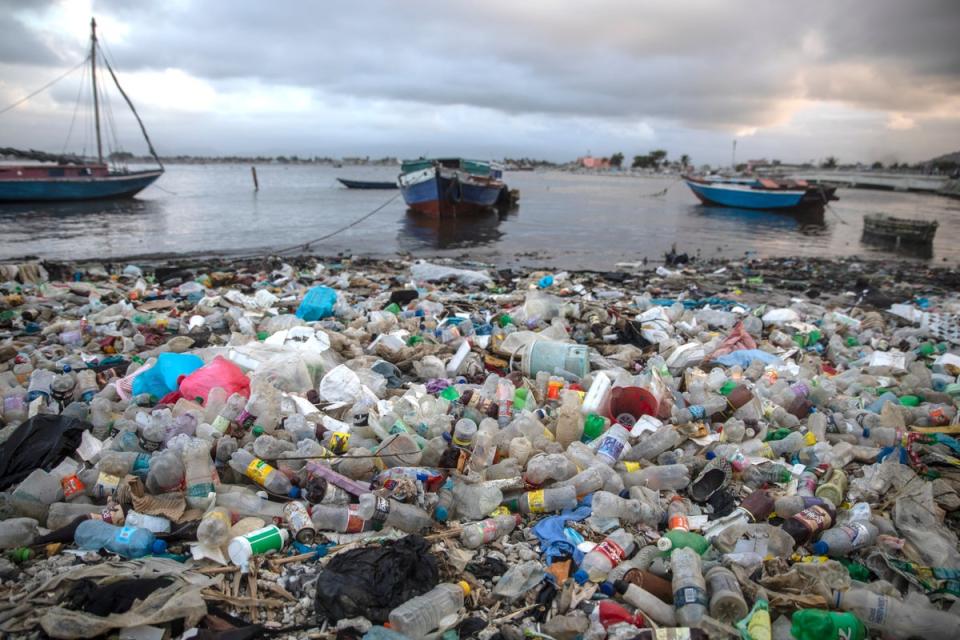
(372, 581)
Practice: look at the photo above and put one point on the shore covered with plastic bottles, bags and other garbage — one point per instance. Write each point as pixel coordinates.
(307, 447)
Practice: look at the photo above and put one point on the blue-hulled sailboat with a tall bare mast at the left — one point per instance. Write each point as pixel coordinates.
(58, 178)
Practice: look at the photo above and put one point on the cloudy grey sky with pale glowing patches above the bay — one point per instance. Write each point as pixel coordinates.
(865, 80)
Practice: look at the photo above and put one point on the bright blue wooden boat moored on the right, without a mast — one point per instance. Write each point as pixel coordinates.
(759, 193)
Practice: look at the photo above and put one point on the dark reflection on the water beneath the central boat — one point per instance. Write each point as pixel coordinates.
(421, 231)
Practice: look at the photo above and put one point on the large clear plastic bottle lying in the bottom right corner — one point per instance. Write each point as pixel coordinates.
(896, 619)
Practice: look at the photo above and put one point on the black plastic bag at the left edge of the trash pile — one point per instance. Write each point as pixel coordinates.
(42, 442)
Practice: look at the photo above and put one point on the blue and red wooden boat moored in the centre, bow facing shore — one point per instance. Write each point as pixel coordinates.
(450, 187)
